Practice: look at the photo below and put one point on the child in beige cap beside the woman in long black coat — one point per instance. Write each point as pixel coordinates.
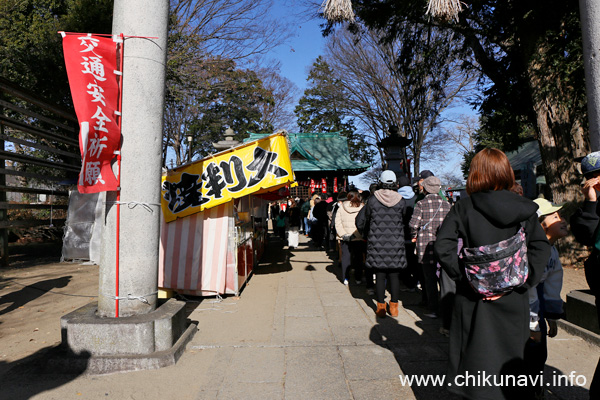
(545, 303)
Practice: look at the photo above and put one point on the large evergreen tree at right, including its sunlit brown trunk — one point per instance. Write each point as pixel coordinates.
(531, 53)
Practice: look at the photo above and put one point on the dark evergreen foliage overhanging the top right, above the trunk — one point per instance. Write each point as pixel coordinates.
(526, 51)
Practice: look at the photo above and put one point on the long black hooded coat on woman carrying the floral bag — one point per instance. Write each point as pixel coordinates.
(489, 336)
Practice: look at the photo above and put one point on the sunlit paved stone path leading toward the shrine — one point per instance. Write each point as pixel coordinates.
(296, 332)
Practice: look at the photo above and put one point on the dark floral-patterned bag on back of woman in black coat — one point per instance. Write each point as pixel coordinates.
(498, 268)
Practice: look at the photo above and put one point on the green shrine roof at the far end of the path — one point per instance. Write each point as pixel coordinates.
(326, 151)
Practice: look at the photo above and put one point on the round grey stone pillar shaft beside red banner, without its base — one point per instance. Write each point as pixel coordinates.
(143, 105)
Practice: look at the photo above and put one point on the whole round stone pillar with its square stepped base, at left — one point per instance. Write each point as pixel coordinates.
(145, 334)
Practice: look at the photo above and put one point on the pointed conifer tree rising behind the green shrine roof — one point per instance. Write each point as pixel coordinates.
(321, 109)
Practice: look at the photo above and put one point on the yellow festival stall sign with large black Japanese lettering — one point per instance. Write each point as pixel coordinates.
(250, 168)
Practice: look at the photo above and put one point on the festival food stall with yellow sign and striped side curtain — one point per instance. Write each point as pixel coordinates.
(214, 219)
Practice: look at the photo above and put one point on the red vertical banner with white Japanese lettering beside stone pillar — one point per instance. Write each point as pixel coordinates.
(92, 69)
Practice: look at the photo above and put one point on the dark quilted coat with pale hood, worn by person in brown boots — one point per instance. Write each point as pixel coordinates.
(380, 222)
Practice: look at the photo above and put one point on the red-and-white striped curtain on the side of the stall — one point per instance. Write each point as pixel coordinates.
(194, 255)
